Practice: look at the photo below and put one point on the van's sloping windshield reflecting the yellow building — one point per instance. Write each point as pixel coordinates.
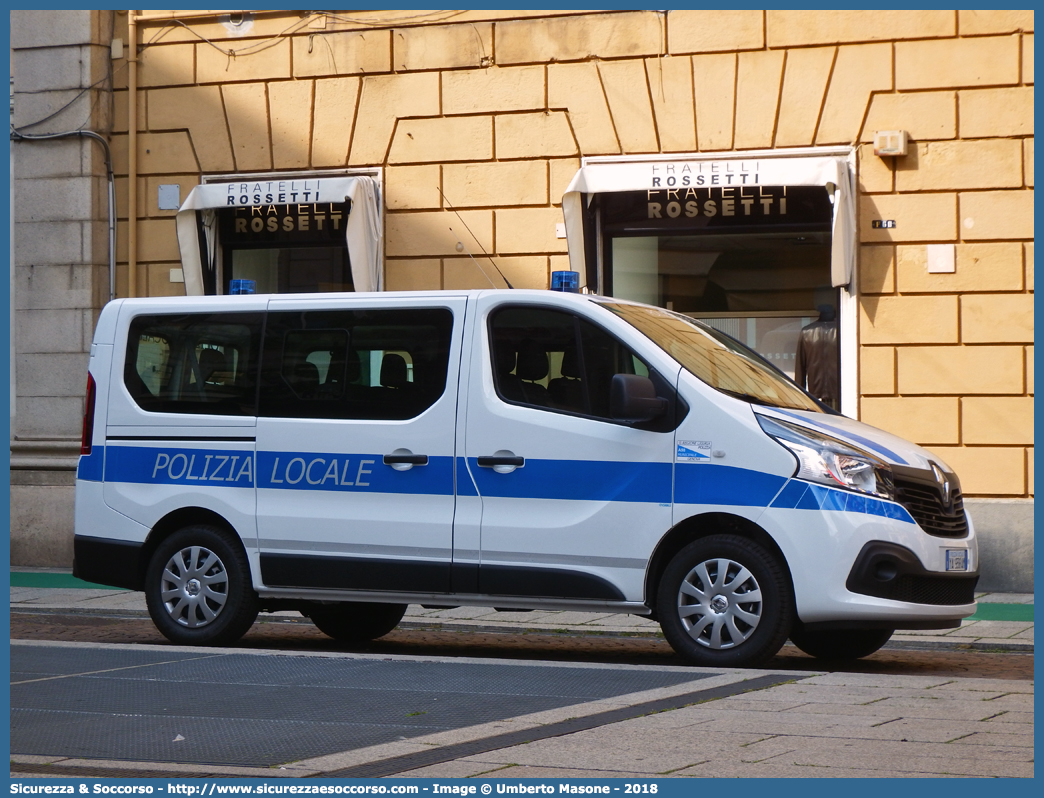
(721, 362)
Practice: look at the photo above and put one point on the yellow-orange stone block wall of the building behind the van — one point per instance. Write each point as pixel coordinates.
(490, 112)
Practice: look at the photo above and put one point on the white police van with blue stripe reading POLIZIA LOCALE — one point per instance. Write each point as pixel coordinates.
(348, 455)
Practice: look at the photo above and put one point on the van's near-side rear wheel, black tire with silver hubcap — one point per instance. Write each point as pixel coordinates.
(198, 588)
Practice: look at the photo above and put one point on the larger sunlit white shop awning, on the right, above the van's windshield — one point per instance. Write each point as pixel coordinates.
(832, 172)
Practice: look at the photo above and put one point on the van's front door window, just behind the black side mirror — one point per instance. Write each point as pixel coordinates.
(557, 361)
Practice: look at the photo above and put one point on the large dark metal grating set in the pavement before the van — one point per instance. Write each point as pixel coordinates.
(265, 711)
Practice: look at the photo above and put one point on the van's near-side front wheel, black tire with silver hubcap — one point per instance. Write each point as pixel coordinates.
(717, 627)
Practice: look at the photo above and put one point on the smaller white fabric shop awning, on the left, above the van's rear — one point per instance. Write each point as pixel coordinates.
(363, 233)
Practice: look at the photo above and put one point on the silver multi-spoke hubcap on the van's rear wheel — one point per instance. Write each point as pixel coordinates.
(195, 588)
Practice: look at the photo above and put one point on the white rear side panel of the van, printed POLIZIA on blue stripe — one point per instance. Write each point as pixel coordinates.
(161, 462)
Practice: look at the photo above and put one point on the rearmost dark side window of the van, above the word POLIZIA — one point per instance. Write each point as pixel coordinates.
(197, 364)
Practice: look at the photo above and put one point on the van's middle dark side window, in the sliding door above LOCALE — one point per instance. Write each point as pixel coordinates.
(389, 364)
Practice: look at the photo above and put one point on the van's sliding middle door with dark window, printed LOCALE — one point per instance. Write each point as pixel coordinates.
(355, 443)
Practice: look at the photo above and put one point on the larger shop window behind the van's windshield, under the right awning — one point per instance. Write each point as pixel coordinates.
(752, 262)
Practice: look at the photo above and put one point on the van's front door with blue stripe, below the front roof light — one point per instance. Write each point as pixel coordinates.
(573, 502)
